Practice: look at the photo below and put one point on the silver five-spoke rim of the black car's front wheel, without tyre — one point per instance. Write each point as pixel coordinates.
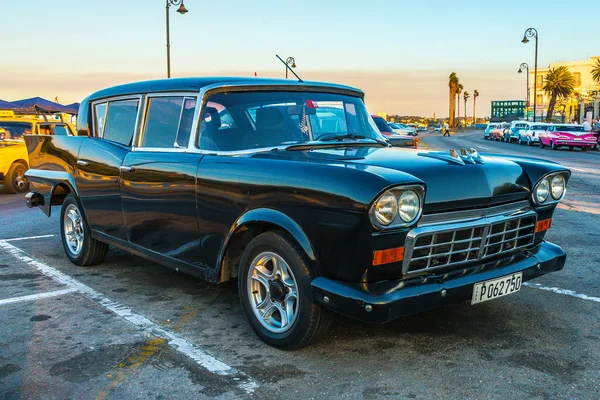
(273, 292)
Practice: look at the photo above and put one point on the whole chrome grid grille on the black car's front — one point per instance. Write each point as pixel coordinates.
(446, 245)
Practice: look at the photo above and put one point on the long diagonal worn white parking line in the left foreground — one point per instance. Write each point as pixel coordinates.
(176, 341)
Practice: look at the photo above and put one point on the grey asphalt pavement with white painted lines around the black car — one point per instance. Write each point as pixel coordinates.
(129, 328)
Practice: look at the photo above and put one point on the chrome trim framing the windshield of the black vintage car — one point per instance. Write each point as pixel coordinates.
(209, 90)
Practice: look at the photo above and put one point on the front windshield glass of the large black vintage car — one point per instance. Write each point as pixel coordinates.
(246, 120)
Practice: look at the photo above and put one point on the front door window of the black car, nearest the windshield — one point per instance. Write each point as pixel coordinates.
(169, 122)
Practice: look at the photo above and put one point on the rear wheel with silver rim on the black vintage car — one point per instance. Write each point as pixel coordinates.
(80, 247)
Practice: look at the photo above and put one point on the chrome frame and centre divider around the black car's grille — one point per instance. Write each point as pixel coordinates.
(484, 222)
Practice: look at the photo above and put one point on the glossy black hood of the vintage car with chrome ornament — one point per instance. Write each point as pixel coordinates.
(450, 185)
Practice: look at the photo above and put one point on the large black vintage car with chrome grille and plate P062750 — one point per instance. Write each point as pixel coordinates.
(290, 188)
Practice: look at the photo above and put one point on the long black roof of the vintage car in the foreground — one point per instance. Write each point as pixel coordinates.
(195, 84)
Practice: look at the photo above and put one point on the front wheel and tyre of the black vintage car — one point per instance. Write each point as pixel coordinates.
(274, 282)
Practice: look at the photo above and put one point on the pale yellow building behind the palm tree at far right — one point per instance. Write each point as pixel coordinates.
(585, 86)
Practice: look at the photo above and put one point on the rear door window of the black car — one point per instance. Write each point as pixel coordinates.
(120, 121)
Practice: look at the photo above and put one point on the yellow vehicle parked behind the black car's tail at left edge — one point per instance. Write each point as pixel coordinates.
(13, 153)
